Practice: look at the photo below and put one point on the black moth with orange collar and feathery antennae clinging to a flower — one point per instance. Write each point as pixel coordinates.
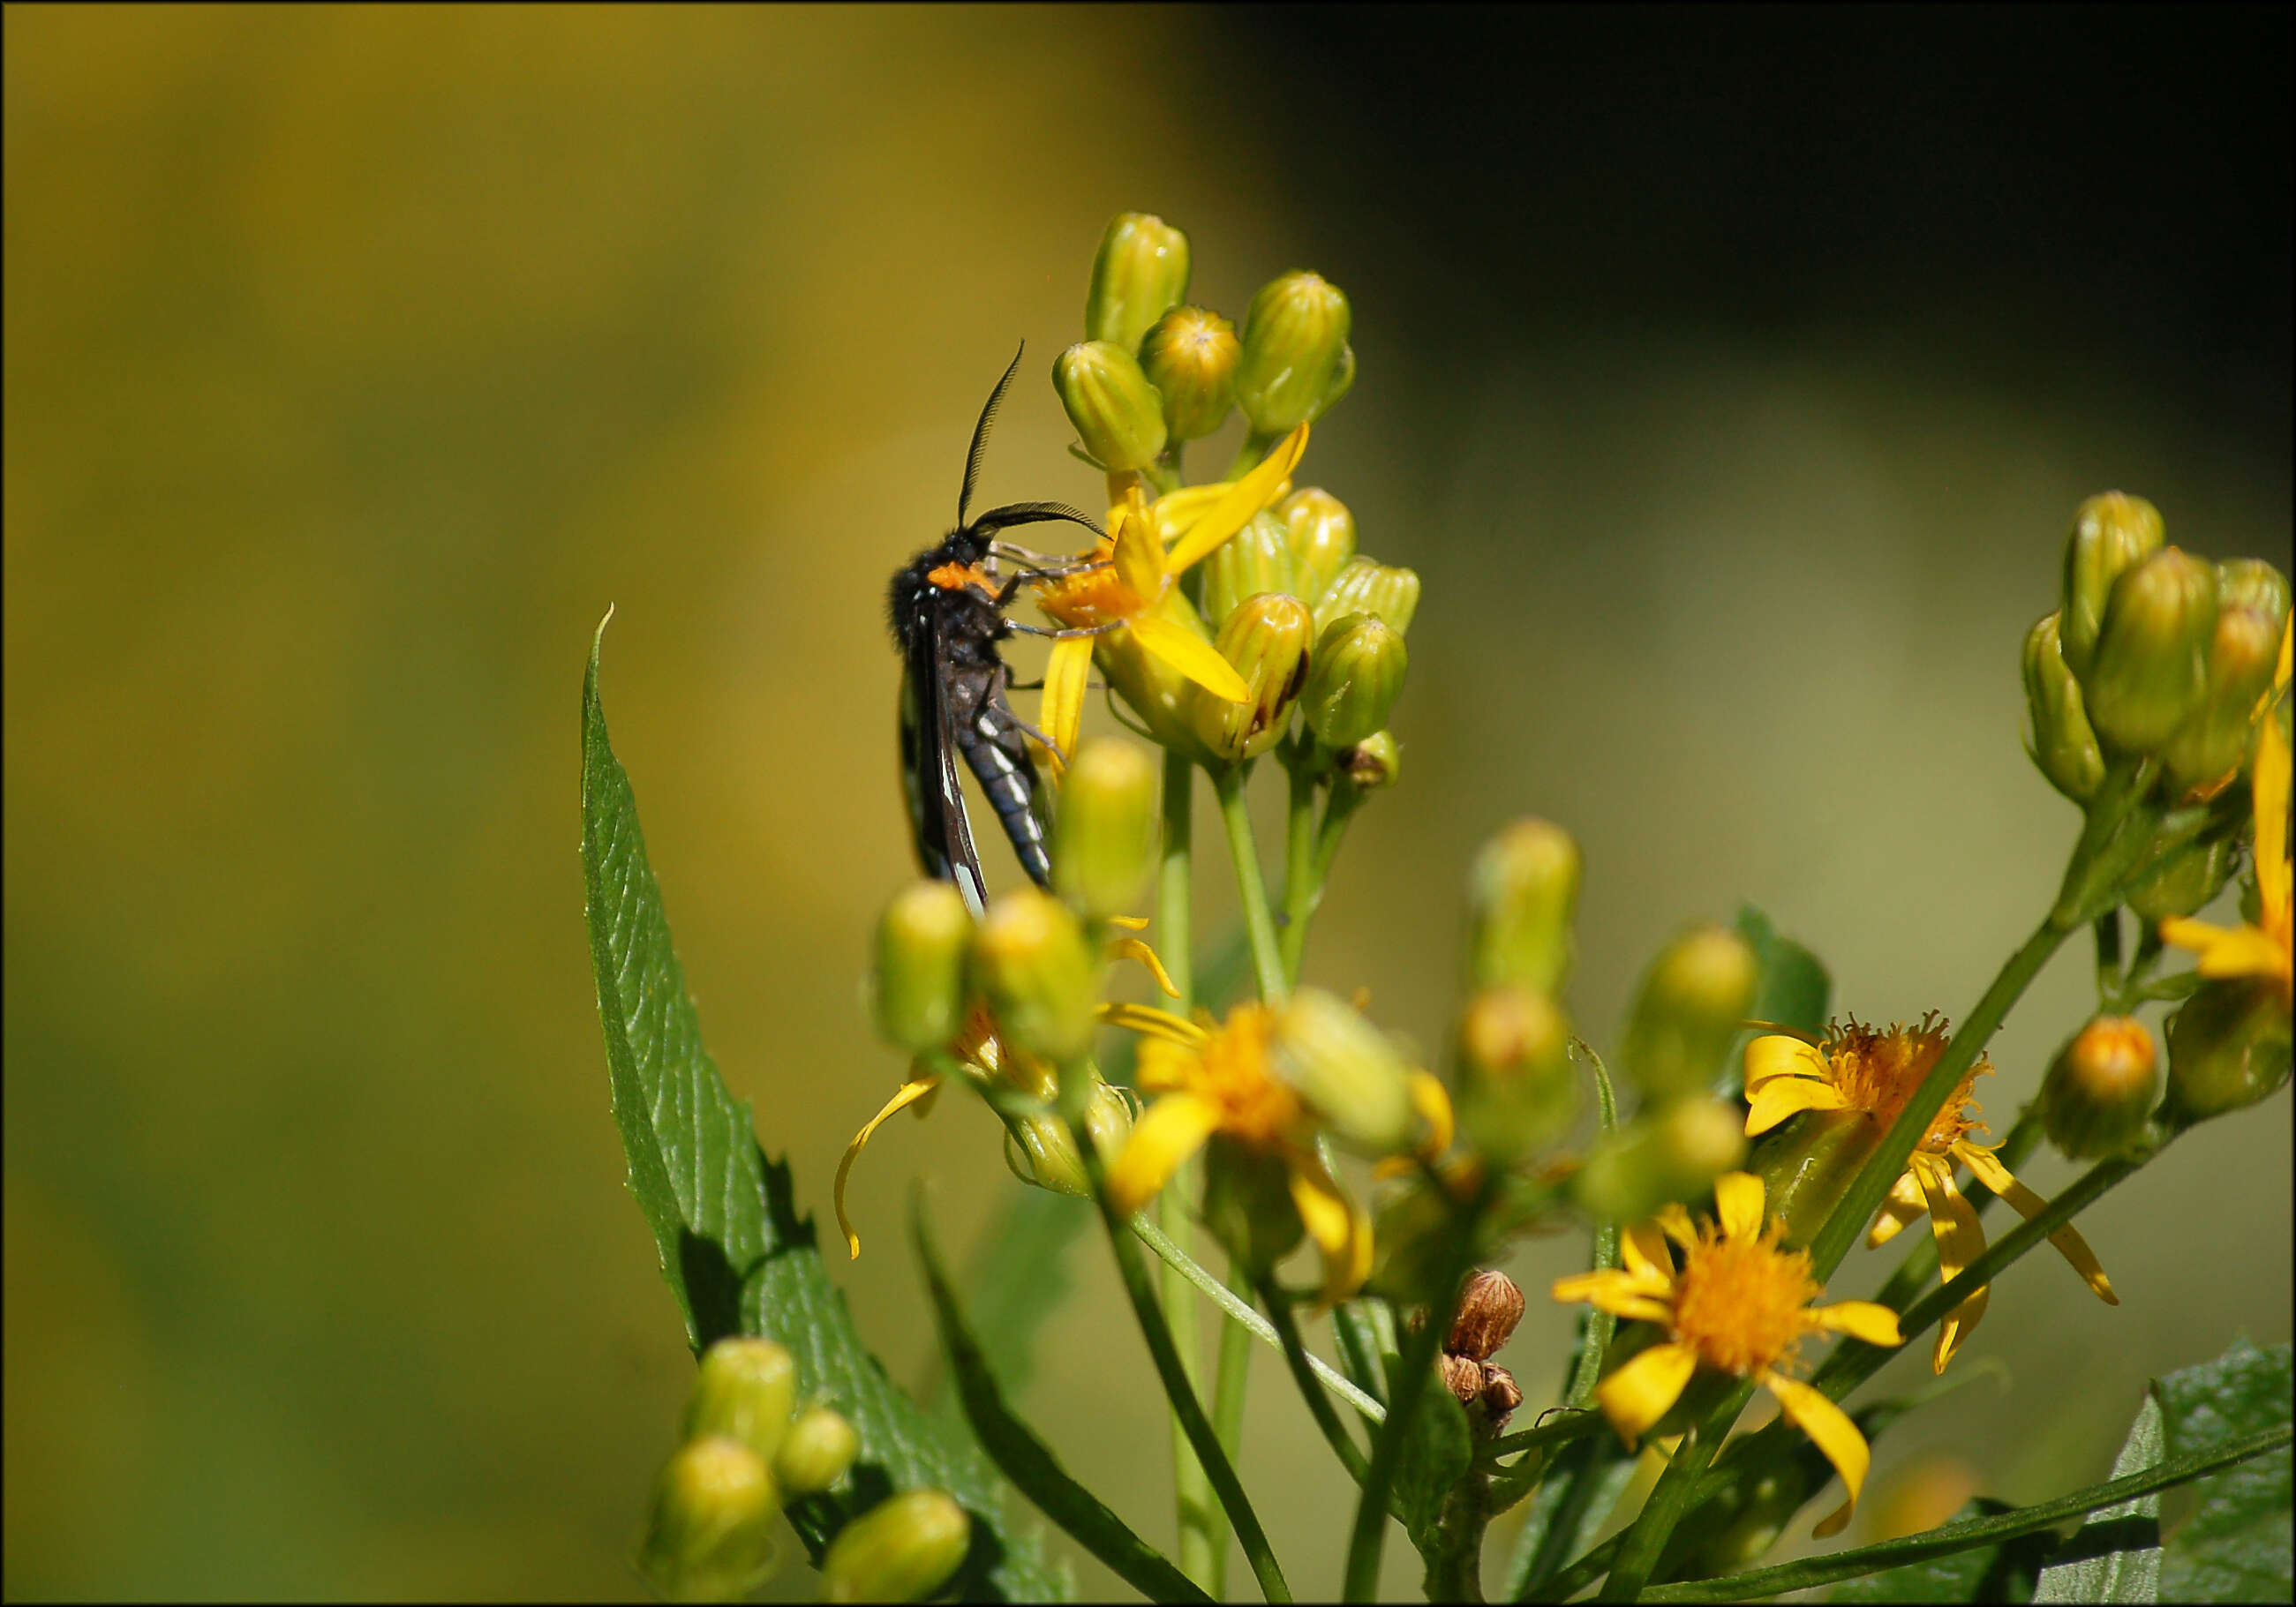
(947, 610)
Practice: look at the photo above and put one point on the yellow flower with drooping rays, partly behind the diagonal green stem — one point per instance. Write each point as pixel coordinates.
(1872, 1076)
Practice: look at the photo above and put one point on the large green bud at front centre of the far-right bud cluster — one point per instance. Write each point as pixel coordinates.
(2152, 653)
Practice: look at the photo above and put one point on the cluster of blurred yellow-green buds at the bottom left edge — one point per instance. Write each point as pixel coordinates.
(747, 1452)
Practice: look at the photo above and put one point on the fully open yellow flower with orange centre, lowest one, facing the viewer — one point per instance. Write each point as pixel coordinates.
(1739, 1305)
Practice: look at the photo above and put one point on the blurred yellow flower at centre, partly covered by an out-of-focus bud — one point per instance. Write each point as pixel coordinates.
(1216, 1080)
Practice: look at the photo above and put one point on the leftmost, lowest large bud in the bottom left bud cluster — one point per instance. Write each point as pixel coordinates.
(711, 1537)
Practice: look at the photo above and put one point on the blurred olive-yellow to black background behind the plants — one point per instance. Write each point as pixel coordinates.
(1730, 385)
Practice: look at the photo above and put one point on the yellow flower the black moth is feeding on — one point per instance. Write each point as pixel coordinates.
(1147, 550)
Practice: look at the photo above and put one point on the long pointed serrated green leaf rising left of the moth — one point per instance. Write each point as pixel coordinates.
(734, 1248)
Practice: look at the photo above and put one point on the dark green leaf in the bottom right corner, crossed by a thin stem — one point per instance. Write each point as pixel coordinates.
(2235, 1548)
